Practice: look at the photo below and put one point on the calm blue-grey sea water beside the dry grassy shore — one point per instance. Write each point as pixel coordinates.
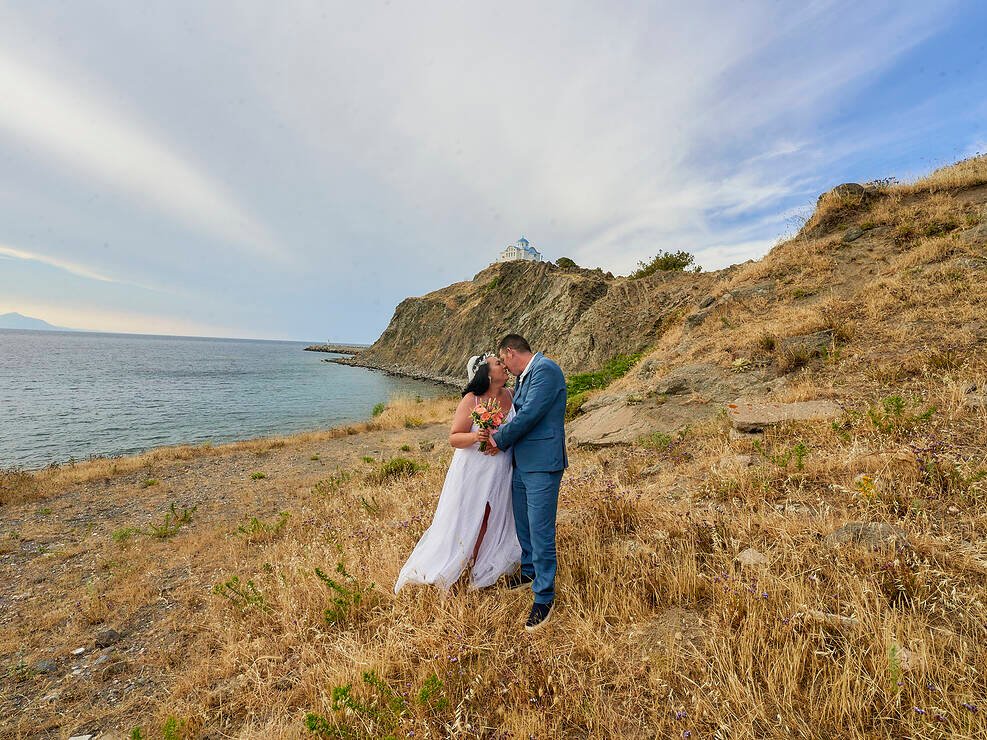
(70, 395)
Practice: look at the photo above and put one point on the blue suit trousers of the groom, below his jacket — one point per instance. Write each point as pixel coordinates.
(535, 499)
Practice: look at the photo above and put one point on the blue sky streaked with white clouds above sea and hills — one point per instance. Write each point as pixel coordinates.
(294, 170)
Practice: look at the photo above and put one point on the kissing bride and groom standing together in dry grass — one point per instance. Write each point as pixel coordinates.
(496, 513)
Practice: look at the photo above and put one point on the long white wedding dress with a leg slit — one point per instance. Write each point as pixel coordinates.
(442, 554)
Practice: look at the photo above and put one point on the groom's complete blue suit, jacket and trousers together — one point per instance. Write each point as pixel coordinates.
(536, 439)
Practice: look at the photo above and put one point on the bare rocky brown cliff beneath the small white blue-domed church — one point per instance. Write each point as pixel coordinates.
(581, 318)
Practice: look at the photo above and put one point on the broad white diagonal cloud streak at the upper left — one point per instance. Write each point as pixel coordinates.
(78, 129)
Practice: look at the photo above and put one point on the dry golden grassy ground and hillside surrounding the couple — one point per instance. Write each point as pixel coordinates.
(707, 586)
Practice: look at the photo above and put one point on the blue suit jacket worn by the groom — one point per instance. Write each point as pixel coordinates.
(536, 434)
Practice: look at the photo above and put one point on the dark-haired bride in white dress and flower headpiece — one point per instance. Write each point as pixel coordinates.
(473, 520)
